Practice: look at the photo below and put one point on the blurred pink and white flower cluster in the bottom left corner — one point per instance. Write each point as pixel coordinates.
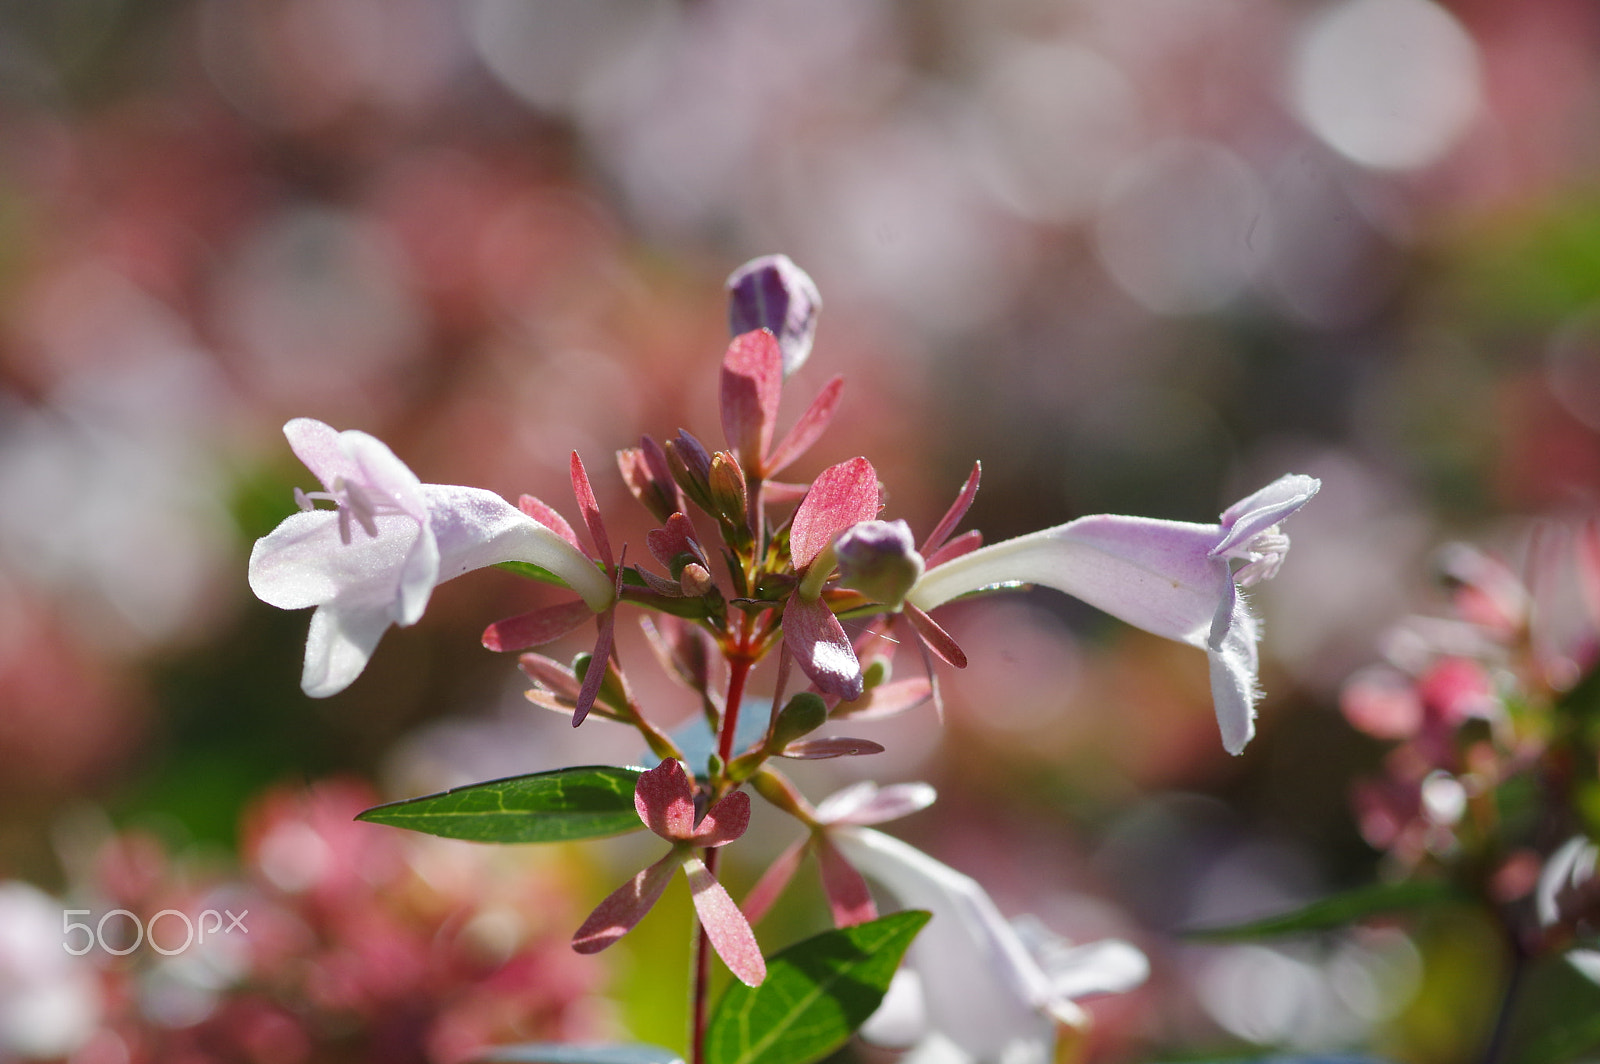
(380, 945)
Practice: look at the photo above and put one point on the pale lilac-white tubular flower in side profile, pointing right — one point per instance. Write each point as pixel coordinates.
(1170, 578)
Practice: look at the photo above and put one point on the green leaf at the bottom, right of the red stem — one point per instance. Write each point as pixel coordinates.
(815, 996)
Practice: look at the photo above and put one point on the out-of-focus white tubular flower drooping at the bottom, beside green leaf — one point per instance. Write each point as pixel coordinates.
(991, 990)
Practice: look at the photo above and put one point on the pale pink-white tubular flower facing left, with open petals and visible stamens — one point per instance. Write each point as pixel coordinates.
(375, 559)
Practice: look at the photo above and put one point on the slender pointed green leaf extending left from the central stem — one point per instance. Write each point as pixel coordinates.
(569, 804)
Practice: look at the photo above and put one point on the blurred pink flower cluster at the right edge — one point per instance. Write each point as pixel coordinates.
(1492, 782)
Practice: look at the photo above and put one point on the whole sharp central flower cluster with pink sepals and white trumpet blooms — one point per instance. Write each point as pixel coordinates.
(748, 567)
